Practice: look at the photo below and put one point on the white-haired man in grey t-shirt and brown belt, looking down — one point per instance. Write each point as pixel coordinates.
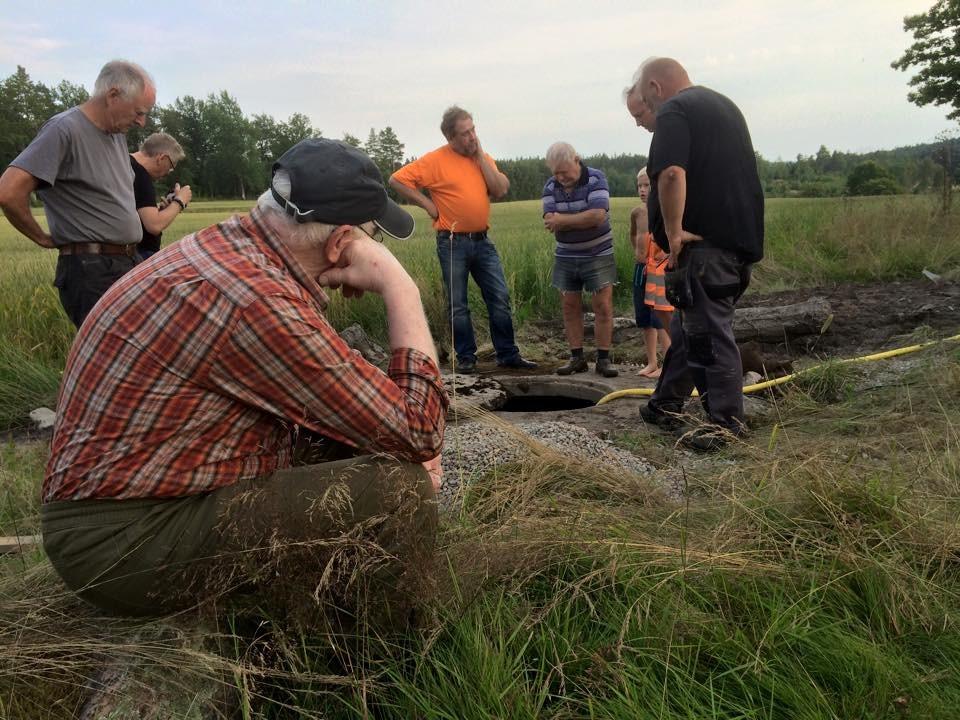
(80, 167)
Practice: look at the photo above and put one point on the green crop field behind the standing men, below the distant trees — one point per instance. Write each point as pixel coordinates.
(809, 243)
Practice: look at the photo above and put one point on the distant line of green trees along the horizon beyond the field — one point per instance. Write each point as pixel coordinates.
(230, 155)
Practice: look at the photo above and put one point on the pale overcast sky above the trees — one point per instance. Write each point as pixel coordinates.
(804, 73)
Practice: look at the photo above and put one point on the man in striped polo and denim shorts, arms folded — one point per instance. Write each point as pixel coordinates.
(576, 209)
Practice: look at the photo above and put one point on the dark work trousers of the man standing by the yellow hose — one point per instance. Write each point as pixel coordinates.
(703, 352)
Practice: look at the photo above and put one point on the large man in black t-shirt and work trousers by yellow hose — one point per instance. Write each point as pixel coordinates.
(706, 209)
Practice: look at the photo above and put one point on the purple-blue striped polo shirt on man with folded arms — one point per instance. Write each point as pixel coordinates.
(590, 193)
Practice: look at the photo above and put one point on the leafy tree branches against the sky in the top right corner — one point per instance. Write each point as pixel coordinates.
(935, 52)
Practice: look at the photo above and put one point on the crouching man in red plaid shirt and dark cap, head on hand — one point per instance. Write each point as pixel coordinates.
(193, 385)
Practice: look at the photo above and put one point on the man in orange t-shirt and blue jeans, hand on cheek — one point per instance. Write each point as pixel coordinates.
(461, 179)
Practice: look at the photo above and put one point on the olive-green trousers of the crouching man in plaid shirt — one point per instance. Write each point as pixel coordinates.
(290, 532)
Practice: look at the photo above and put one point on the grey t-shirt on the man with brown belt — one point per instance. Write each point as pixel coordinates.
(86, 182)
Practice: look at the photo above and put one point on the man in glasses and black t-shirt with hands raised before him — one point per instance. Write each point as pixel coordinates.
(157, 157)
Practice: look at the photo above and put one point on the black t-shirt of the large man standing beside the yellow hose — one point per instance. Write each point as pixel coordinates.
(704, 133)
